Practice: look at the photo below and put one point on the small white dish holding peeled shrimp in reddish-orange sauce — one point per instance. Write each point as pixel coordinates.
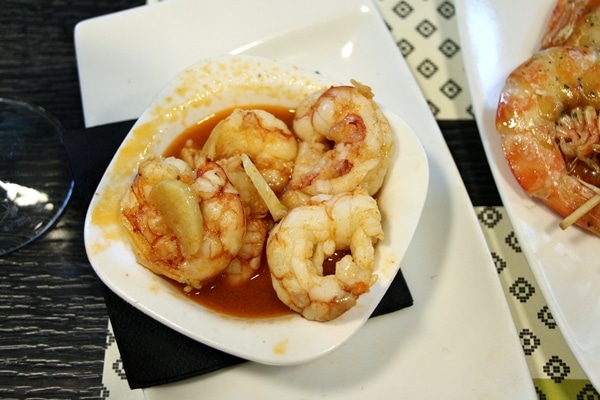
(198, 92)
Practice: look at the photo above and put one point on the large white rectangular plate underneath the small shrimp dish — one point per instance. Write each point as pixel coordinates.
(458, 341)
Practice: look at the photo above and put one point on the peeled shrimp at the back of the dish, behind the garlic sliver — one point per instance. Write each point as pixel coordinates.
(265, 139)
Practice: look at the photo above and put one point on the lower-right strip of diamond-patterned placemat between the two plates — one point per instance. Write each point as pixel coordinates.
(555, 371)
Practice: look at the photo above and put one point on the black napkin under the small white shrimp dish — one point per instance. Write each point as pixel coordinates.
(152, 353)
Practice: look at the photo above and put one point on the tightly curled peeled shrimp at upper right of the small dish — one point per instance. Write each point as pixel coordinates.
(346, 142)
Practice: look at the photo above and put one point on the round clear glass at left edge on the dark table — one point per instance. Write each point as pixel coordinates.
(35, 177)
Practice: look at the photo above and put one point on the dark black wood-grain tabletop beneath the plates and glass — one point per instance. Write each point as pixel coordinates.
(53, 319)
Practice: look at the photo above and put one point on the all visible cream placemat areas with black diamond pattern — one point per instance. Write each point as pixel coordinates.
(427, 35)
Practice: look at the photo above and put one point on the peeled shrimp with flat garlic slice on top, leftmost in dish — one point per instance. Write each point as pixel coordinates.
(159, 225)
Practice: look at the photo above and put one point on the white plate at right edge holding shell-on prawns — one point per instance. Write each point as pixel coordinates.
(497, 36)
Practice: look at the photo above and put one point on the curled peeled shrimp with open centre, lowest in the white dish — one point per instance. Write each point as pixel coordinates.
(310, 233)
